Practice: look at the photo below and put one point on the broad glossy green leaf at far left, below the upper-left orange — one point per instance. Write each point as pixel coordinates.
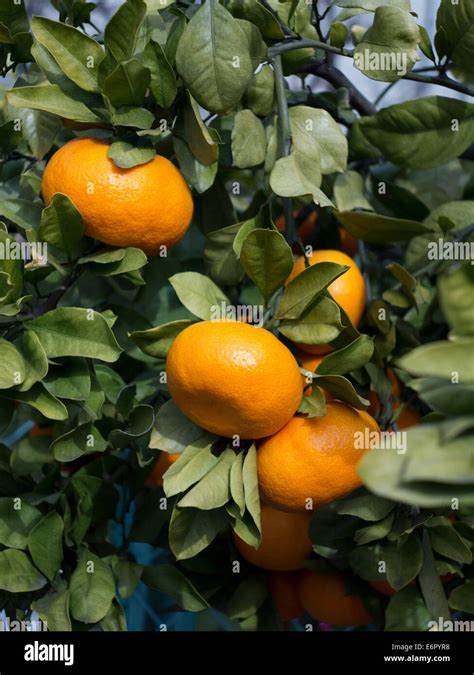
(72, 331)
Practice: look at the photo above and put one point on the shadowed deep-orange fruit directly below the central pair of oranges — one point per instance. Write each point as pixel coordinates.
(285, 541)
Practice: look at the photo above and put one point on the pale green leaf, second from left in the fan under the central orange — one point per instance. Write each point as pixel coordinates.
(213, 490)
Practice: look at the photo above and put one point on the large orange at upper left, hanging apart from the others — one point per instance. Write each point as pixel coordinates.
(147, 206)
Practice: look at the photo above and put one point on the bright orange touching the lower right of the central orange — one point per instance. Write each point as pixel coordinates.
(313, 458)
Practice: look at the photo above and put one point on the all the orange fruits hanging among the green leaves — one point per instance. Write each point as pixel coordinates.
(238, 380)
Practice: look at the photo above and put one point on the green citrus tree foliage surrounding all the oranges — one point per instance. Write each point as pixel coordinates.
(84, 338)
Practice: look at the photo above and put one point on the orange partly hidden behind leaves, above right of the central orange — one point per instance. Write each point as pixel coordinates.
(348, 290)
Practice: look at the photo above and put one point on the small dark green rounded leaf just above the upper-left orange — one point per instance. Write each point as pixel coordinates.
(127, 84)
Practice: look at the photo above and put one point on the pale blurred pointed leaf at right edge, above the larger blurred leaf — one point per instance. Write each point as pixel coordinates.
(441, 359)
